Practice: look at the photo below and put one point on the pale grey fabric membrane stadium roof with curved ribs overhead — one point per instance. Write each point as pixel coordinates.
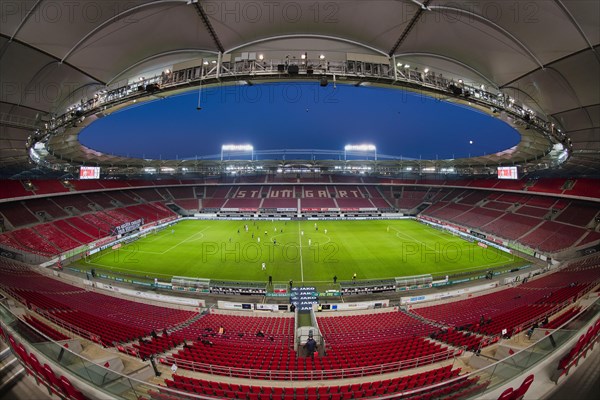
(545, 53)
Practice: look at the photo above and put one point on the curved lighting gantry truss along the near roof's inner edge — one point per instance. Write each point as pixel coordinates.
(173, 80)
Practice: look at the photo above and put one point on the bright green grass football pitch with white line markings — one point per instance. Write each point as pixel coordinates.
(298, 250)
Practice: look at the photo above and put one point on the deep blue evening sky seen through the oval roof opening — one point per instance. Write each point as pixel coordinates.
(299, 115)
